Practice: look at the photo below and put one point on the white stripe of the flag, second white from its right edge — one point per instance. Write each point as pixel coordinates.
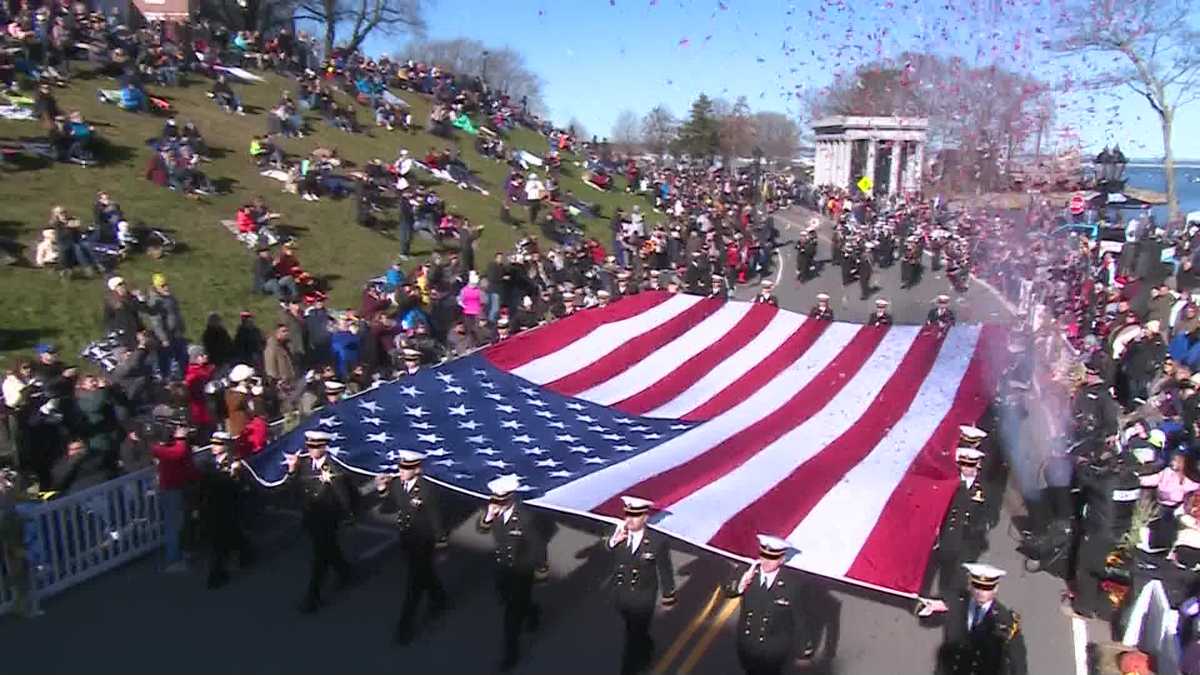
(700, 515)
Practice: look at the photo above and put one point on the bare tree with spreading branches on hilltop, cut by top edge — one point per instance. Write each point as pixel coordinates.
(363, 19)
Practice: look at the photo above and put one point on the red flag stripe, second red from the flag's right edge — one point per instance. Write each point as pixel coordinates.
(785, 505)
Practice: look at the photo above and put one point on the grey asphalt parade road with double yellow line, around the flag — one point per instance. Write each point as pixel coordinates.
(140, 620)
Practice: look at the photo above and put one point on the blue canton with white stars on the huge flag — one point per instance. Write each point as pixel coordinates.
(475, 422)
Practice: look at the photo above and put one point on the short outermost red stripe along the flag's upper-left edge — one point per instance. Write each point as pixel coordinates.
(526, 348)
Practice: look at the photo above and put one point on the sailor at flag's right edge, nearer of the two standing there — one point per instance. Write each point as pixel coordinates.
(964, 529)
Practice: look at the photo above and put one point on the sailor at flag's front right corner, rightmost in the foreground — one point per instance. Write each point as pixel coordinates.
(982, 637)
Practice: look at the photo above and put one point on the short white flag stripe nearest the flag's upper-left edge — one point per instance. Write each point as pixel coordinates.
(598, 344)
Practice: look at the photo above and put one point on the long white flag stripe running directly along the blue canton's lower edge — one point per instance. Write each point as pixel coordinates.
(595, 489)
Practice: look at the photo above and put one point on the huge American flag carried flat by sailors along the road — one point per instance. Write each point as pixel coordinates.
(735, 419)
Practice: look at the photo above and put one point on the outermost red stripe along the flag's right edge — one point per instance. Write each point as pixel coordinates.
(897, 552)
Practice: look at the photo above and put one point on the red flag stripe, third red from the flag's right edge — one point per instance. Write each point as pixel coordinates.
(677, 483)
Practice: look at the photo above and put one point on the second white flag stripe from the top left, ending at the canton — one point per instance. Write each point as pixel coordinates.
(665, 360)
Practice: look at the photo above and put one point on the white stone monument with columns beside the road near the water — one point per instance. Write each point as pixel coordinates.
(891, 152)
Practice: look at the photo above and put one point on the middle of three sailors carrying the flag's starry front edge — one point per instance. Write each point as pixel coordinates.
(421, 535)
